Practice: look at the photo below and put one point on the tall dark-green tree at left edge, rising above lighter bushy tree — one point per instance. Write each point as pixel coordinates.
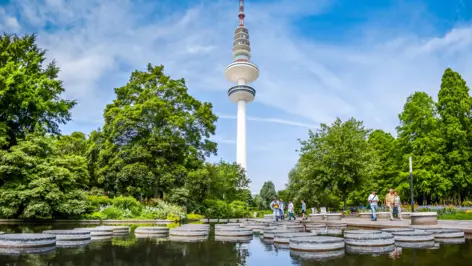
(29, 90)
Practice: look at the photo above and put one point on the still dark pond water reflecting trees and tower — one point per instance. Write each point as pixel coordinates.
(128, 250)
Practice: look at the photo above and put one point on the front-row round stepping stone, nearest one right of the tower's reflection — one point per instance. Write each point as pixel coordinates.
(316, 243)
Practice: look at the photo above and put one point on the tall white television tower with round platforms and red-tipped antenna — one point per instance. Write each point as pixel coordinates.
(242, 72)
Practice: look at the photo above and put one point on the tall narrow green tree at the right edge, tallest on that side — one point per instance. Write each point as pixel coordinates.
(454, 108)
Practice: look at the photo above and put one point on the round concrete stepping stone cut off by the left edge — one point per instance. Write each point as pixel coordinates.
(17, 244)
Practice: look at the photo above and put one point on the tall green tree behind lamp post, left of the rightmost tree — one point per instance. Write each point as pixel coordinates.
(419, 137)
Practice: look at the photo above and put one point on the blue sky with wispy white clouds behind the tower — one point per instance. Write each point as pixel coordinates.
(319, 59)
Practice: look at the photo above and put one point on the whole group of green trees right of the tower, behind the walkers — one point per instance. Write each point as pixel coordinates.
(341, 163)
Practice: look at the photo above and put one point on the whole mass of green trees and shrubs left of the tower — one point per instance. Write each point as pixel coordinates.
(147, 161)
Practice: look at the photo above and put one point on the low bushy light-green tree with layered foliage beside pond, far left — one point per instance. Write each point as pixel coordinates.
(37, 181)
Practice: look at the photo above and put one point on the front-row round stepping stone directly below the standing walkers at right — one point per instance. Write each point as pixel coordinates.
(369, 243)
